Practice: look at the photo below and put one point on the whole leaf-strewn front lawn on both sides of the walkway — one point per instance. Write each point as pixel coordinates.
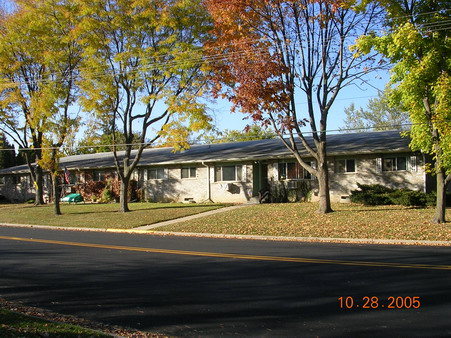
(297, 219)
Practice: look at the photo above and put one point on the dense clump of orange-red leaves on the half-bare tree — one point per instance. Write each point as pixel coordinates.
(247, 63)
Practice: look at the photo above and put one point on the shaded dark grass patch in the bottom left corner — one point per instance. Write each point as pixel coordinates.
(14, 324)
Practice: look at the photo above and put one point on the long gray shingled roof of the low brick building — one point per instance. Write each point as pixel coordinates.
(337, 144)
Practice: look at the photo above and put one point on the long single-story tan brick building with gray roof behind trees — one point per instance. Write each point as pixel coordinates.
(237, 172)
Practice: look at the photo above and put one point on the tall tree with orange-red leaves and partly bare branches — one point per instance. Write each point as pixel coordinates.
(269, 53)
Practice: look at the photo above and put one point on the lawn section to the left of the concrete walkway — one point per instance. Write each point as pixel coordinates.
(100, 215)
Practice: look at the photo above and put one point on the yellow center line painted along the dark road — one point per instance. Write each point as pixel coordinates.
(233, 256)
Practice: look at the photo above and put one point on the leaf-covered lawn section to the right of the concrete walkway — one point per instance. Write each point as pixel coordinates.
(301, 220)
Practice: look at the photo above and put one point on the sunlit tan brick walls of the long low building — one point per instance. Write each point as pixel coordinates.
(203, 186)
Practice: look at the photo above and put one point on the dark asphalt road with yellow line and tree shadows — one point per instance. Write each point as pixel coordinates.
(211, 287)
